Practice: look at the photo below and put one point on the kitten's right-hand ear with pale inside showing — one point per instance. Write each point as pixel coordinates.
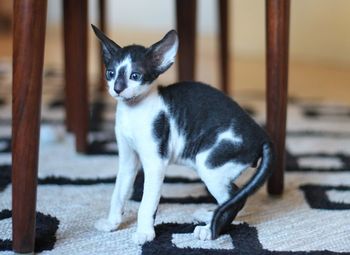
(162, 54)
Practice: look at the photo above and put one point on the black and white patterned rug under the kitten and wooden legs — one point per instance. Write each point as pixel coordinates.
(74, 190)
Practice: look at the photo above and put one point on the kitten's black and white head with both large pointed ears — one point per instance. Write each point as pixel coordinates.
(131, 70)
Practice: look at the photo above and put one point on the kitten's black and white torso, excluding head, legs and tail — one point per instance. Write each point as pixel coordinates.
(187, 119)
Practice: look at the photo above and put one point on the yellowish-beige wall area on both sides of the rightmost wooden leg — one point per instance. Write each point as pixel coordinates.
(320, 30)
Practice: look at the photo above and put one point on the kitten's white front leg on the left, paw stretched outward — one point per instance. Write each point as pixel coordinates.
(128, 166)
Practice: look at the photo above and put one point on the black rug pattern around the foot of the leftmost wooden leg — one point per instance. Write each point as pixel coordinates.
(45, 232)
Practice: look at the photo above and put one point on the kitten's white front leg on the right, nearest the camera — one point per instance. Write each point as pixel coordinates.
(154, 175)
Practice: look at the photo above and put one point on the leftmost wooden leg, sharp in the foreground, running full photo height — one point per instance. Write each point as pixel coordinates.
(28, 57)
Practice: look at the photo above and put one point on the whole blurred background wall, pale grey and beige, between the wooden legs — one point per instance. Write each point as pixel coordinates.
(320, 29)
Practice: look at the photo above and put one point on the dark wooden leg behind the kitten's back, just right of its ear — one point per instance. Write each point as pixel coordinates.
(186, 28)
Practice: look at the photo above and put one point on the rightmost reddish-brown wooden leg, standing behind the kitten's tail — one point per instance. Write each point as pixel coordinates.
(277, 42)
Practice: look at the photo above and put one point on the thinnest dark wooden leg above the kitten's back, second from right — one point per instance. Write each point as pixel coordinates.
(224, 45)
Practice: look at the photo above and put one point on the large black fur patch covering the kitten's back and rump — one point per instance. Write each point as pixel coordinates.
(201, 113)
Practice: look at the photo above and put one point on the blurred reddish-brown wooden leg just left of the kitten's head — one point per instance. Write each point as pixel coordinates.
(75, 20)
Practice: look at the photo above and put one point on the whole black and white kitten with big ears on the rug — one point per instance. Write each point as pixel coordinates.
(186, 123)
